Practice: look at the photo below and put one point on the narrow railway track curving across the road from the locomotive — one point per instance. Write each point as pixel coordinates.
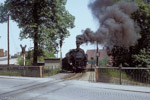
(14, 93)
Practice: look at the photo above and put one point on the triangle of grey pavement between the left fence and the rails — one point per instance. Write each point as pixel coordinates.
(13, 83)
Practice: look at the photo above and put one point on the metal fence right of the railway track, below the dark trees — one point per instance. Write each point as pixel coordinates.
(123, 75)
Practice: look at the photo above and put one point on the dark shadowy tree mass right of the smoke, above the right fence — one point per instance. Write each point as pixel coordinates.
(132, 55)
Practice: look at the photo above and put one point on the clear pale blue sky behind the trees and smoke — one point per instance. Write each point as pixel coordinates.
(83, 20)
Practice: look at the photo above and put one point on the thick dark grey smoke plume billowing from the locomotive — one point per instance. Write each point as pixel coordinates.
(116, 28)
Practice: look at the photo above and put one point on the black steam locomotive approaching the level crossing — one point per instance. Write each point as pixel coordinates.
(75, 60)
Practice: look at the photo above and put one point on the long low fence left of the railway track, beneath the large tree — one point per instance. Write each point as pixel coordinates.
(29, 71)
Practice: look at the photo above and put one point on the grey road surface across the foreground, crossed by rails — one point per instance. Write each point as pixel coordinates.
(22, 88)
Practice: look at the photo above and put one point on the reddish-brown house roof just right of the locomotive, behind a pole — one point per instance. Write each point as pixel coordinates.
(92, 53)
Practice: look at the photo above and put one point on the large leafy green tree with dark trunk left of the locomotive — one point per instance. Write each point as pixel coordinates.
(44, 21)
